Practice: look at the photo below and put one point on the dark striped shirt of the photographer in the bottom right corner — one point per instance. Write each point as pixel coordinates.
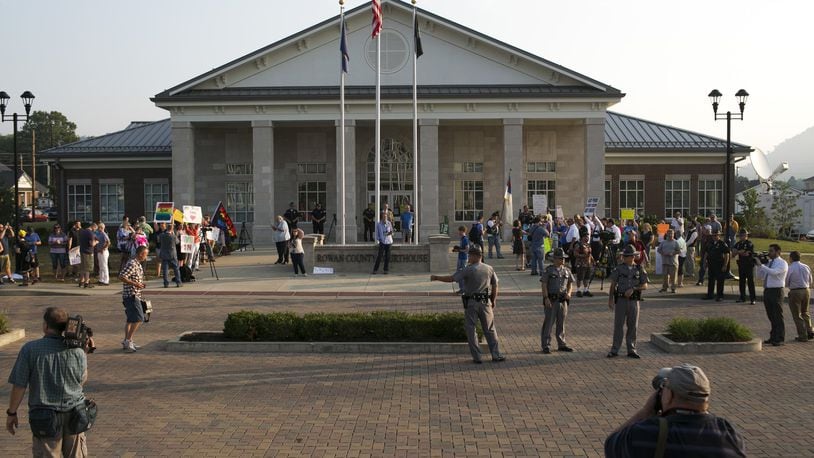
(696, 435)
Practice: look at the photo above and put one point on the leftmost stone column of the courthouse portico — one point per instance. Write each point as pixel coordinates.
(183, 163)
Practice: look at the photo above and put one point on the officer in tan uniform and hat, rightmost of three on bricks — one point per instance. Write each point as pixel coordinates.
(628, 281)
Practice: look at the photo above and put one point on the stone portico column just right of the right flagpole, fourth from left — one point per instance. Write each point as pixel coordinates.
(427, 210)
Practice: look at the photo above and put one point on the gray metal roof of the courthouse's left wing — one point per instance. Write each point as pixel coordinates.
(139, 137)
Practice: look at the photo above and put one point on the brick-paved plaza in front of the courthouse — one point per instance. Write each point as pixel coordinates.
(155, 403)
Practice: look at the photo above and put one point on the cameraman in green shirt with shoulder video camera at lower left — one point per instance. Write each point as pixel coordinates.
(55, 374)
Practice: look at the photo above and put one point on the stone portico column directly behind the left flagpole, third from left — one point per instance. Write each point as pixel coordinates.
(352, 229)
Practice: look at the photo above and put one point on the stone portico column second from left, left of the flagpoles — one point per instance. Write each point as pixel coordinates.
(263, 180)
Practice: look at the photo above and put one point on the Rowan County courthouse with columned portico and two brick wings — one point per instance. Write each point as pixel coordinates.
(263, 130)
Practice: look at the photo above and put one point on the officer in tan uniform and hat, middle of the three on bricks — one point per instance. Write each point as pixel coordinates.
(557, 281)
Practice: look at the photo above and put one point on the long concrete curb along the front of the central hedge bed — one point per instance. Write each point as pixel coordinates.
(440, 348)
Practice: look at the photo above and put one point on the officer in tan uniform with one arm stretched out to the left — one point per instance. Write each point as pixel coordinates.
(479, 292)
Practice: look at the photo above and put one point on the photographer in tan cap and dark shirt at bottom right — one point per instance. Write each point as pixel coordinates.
(675, 421)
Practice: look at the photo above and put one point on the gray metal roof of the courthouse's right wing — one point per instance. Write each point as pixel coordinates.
(628, 133)
